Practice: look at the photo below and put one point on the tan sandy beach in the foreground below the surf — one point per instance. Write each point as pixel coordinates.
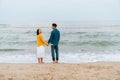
(82, 71)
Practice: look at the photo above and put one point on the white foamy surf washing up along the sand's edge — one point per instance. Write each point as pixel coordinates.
(64, 58)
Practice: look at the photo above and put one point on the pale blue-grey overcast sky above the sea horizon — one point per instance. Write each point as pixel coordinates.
(35, 11)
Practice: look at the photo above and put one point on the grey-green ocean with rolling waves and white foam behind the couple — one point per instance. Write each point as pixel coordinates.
(79, 42)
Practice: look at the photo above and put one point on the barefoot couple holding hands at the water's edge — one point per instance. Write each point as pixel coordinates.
(53, 41)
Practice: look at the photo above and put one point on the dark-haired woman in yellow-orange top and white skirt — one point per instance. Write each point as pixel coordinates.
(40, 46)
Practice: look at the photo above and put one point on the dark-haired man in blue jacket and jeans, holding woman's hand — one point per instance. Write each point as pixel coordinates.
(54, 41)
